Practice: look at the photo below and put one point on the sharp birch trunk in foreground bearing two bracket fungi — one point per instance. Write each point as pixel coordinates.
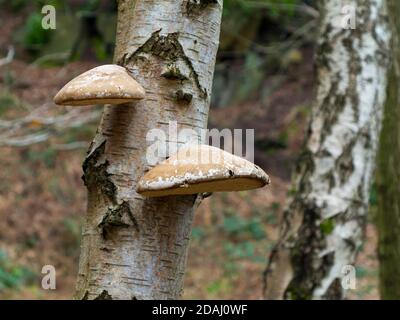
(133, 247)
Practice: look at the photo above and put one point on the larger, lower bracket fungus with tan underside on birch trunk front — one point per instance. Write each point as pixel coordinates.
(200, 169)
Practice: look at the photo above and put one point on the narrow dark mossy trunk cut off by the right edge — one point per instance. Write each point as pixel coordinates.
(388, 177)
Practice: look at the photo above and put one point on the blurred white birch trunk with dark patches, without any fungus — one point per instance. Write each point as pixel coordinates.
(323, 225)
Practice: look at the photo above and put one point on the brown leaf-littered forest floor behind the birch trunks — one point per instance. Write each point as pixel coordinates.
(42, 197)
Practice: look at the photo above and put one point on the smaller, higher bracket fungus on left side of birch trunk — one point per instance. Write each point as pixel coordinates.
(107, 84)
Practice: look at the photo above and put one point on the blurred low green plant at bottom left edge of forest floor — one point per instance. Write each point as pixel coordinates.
(13, 276)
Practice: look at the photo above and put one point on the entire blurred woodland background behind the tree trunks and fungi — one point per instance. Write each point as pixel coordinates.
(264, 80)
